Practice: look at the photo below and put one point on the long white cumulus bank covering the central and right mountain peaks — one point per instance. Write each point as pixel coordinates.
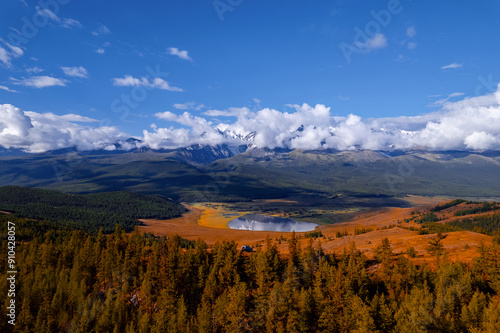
(472, 123)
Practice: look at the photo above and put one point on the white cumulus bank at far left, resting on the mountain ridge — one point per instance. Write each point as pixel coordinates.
(38, 132)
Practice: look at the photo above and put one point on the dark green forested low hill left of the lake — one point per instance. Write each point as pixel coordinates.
(87, 212)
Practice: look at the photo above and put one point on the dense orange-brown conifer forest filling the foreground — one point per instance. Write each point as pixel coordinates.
(71, 281)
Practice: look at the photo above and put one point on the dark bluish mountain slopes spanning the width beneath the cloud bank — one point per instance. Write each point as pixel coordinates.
(259, 173)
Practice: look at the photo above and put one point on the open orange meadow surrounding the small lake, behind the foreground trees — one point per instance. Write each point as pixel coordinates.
(366, 228)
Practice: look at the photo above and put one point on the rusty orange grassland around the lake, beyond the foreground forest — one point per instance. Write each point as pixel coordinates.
(207, 223)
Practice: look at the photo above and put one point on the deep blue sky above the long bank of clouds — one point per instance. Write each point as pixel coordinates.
(123, 62)
